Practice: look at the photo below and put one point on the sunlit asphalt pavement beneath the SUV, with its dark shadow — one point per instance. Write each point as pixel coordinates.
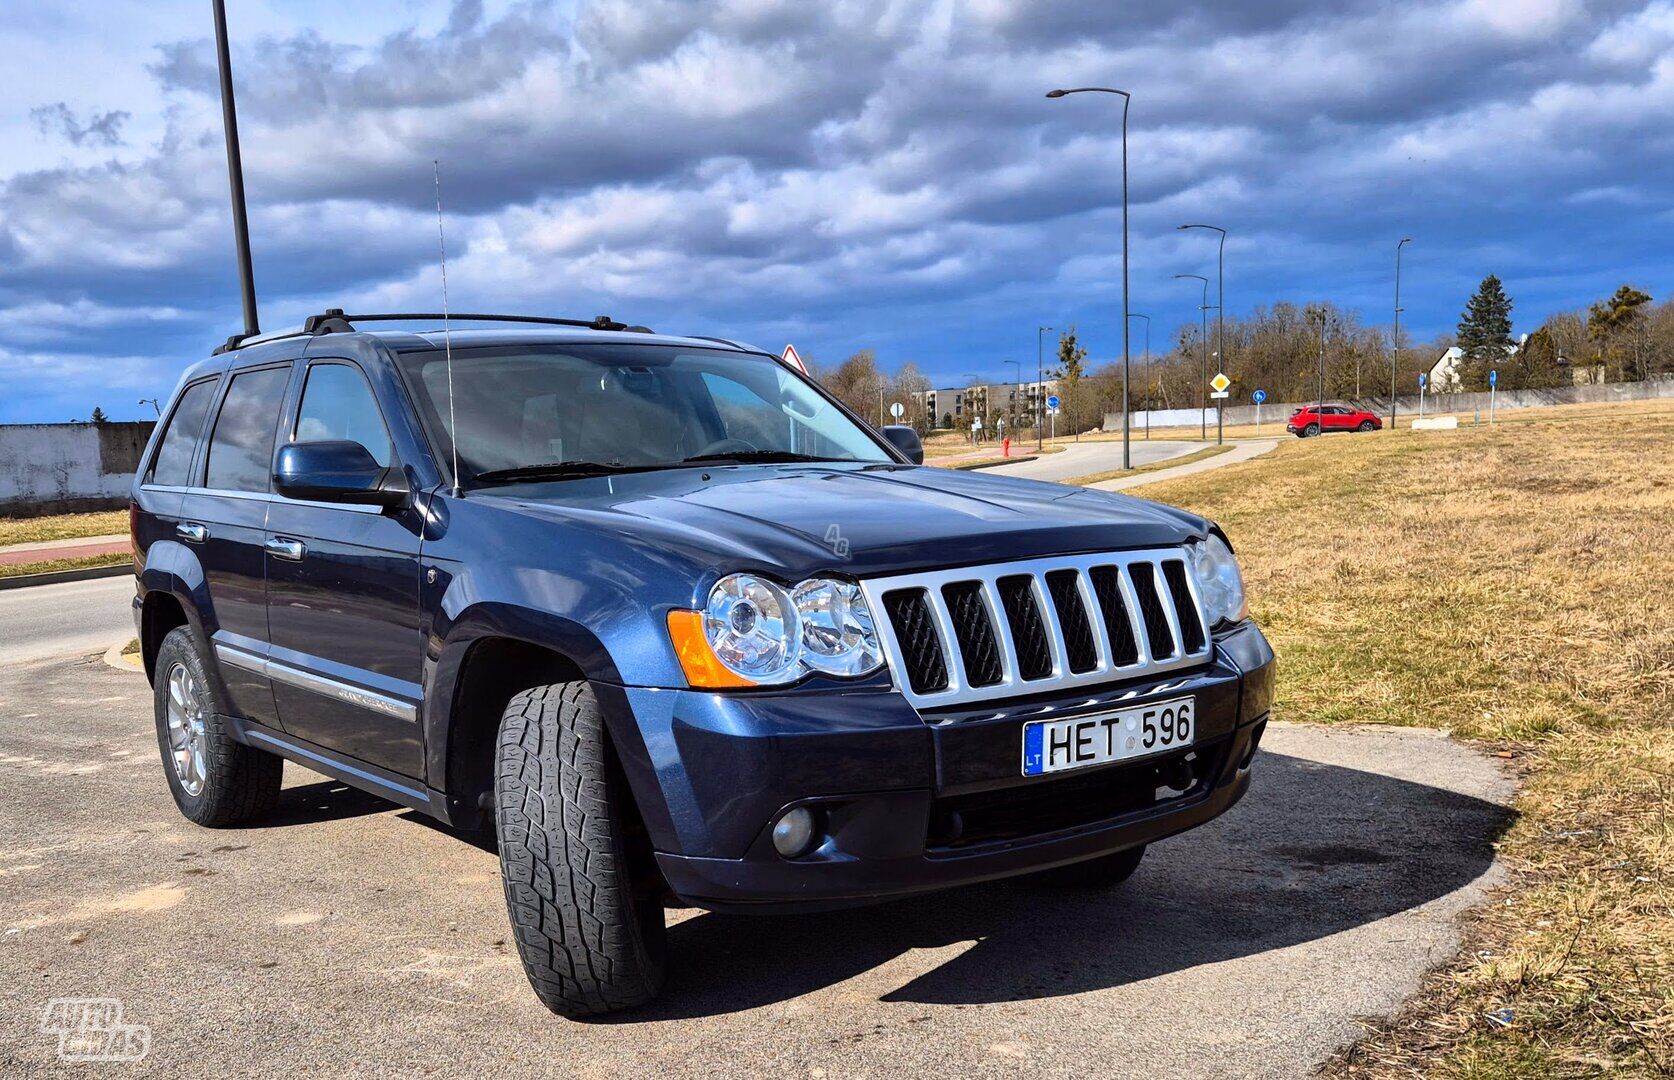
(346, 937)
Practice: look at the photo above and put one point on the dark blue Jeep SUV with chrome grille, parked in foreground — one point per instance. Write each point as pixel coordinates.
(675, 622)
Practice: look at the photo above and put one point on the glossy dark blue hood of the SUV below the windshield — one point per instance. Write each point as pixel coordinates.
(855, 520)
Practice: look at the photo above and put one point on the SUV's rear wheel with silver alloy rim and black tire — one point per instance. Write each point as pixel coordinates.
(215, 779)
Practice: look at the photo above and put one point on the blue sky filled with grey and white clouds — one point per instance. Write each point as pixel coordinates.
(840, 175)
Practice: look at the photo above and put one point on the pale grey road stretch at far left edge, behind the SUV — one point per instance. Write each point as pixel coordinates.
(58, 620)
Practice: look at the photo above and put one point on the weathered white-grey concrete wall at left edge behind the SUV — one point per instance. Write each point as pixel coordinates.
(63, 468)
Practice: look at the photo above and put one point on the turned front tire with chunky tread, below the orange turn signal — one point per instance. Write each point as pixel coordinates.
(582, 887)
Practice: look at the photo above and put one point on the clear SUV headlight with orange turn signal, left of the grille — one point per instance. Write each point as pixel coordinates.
(756, 632)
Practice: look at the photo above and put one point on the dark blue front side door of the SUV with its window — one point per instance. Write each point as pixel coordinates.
(344, 597)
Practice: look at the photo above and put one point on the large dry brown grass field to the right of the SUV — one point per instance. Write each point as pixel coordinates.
(1511, 585)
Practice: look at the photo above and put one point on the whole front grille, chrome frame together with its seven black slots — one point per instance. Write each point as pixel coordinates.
(1007, 630)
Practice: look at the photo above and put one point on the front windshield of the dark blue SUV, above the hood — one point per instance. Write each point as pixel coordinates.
(605, 408)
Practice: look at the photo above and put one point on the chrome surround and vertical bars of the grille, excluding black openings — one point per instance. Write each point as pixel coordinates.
(1060, 677)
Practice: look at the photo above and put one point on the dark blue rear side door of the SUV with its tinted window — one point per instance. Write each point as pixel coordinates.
(225, 518)
